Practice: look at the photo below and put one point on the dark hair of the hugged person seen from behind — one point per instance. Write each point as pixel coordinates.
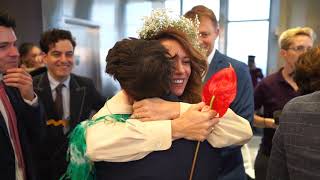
(142, 67)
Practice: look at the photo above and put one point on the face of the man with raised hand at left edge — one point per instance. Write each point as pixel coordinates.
(9, 55)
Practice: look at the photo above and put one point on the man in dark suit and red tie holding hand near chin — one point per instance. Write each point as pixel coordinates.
(21, 118)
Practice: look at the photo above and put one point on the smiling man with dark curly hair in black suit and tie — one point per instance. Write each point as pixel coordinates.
(69, 99)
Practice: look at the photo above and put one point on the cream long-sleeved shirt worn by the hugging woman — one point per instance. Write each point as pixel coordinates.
(133, 140)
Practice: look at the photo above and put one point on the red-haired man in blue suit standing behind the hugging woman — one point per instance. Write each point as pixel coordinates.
(232, 162)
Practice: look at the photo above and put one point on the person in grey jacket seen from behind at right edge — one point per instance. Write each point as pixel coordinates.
(296, 143)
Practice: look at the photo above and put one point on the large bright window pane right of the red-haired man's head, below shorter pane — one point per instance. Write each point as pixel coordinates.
(249, 38)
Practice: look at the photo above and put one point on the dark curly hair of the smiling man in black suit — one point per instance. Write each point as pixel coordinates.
(51, 37)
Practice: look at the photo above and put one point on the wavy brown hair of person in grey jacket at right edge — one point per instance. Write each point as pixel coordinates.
(307, 71)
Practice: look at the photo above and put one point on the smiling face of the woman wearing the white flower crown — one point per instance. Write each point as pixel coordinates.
(182, 70)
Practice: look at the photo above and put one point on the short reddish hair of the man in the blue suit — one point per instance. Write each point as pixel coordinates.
(202, 11)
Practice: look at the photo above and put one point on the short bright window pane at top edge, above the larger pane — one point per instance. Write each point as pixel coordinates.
(248, 10)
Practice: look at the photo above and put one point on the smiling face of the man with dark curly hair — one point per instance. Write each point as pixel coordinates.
(60, 59)
